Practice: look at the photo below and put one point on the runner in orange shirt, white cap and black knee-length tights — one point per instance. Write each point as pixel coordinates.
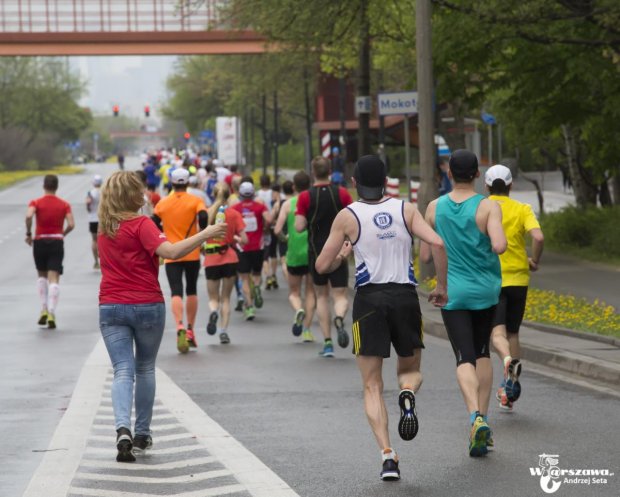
(177, 213)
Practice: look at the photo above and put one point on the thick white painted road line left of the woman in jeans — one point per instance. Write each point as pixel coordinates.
(54, 475)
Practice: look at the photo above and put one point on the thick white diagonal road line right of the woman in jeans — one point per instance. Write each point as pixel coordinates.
(248, 469)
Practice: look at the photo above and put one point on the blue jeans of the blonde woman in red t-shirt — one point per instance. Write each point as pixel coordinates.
(121, 326)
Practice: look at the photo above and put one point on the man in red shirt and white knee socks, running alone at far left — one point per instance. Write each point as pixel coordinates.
(48, 246)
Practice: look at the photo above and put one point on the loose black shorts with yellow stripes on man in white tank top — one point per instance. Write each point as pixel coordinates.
(387, 314)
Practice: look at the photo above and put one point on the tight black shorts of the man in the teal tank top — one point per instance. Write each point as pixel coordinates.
(469, 333)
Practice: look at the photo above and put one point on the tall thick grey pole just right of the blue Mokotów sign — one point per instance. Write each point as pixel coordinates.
(427, 192)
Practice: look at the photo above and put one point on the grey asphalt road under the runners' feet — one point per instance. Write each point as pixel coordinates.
(300, 415)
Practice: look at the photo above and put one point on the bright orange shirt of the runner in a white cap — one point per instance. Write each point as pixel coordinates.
(178, 213)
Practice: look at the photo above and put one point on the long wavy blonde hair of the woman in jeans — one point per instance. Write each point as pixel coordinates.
(122, 196)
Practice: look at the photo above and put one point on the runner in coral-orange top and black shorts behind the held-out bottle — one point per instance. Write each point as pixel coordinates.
(221, 261)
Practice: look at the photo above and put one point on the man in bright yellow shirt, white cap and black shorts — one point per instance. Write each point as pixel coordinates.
(517, 220)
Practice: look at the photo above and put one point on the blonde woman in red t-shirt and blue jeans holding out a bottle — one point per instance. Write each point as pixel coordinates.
(131, 304)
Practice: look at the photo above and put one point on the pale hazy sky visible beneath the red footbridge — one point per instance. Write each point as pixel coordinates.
(131, 82)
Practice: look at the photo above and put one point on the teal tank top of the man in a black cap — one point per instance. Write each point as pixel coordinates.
(474, 271)
